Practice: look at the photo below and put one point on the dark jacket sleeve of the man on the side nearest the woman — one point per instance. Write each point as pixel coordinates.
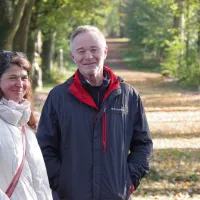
(48, 135)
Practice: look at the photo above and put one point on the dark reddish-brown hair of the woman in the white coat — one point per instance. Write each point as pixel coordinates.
(9, 58)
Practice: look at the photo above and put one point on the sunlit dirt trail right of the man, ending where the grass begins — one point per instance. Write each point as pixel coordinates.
(169, 110)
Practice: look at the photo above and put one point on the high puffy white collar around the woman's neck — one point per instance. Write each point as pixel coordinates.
(14, 113)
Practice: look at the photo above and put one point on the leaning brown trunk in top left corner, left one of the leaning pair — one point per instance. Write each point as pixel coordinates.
(13, 25)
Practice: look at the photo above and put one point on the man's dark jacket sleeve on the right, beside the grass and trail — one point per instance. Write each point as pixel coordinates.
(141, 145)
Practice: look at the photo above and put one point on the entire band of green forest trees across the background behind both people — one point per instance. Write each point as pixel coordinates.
(164, 33)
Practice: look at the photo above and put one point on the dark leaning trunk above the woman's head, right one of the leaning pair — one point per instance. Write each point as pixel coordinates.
(21, 37)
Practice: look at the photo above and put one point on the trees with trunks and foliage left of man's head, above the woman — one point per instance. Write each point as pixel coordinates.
(21, 20)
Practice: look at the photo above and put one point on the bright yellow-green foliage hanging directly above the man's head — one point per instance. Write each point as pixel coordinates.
(63, 16)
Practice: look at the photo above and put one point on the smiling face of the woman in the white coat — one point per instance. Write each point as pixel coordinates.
(14, 83)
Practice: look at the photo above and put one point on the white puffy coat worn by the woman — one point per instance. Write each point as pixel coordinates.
(33, 183)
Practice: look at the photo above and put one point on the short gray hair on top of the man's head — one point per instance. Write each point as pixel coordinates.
(86, 28)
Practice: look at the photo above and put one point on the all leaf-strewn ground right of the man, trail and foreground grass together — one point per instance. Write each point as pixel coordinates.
(173, 115)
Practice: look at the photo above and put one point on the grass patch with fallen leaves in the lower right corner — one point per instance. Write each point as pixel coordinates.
(173, 172)
